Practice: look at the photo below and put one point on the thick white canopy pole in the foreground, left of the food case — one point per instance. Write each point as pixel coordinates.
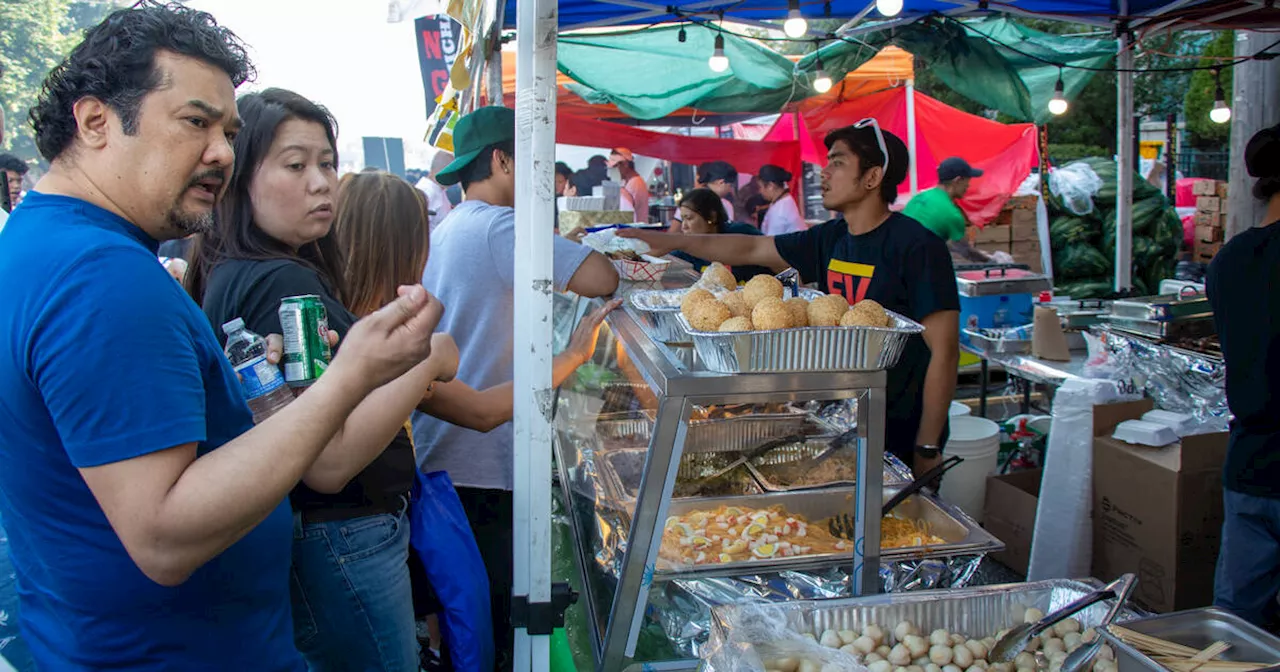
(536, 189)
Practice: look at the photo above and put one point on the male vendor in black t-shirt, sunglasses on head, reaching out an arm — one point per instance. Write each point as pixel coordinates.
(868, 253)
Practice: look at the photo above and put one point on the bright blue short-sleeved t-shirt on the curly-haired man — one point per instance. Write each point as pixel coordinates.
(103, 359)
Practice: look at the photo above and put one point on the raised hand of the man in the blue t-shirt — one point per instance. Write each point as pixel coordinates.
(390, 342)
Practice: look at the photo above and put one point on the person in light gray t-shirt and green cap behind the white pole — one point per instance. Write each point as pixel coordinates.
(472, 271)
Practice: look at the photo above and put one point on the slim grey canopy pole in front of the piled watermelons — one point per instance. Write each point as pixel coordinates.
(1126, 154)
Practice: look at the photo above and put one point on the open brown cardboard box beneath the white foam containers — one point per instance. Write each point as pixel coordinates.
(1158, 513)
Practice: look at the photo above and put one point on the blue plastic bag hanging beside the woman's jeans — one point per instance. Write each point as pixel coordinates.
(442, 537)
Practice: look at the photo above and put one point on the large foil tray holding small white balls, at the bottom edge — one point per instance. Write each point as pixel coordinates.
(977, 612)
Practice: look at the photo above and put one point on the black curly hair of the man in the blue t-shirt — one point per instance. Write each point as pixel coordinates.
(116, 65)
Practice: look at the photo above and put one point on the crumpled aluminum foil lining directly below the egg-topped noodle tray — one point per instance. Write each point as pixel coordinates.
(684, 607)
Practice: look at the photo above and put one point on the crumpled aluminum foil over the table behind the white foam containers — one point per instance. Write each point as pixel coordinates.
(1176, 380)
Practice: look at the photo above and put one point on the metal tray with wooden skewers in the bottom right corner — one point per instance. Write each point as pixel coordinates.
(1199, 629)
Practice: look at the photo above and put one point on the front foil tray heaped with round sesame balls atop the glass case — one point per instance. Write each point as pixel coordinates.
(811, 349)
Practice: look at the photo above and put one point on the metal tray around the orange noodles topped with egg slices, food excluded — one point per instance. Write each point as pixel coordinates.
(962, 534)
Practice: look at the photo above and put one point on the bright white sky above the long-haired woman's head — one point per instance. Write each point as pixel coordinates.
(342, 54)
